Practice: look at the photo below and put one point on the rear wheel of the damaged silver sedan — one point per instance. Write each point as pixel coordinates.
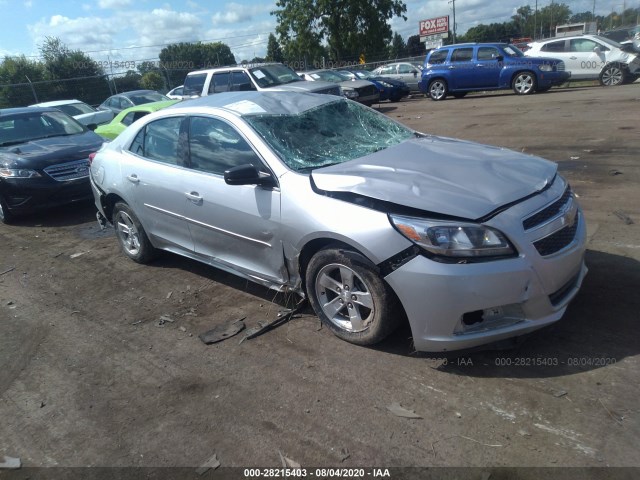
(131, 235)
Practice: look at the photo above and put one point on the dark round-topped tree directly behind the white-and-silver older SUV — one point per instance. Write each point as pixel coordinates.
(178, 59)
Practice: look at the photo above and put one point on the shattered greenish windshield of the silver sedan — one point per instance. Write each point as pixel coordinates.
(332, 133)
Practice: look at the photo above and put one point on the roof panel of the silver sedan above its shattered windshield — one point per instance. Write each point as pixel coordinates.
(256, 102)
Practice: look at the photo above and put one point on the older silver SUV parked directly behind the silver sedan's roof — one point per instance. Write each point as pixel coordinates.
(269, 76)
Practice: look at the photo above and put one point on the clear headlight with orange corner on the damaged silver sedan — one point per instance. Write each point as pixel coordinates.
(453, 239)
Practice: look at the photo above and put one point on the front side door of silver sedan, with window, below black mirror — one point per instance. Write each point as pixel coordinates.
(234, 225)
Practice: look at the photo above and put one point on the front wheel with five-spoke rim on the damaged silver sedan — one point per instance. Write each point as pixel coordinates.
(350, 298)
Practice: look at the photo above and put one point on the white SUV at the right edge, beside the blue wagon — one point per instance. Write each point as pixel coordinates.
(592, 57)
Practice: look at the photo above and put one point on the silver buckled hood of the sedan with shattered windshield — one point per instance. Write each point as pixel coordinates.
(440, 175)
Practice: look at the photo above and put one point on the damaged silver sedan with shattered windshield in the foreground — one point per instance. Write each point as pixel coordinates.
(373, 222)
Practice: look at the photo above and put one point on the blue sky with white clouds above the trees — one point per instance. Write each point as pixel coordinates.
(136, 30)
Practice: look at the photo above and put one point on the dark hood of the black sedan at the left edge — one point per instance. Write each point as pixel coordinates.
(41, 153)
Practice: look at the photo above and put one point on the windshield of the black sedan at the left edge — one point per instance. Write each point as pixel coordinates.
(26, 127)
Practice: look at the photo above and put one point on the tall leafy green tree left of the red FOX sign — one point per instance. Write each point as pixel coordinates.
(348, 28)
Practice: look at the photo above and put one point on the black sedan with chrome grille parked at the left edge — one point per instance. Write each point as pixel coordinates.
(44, 160)
